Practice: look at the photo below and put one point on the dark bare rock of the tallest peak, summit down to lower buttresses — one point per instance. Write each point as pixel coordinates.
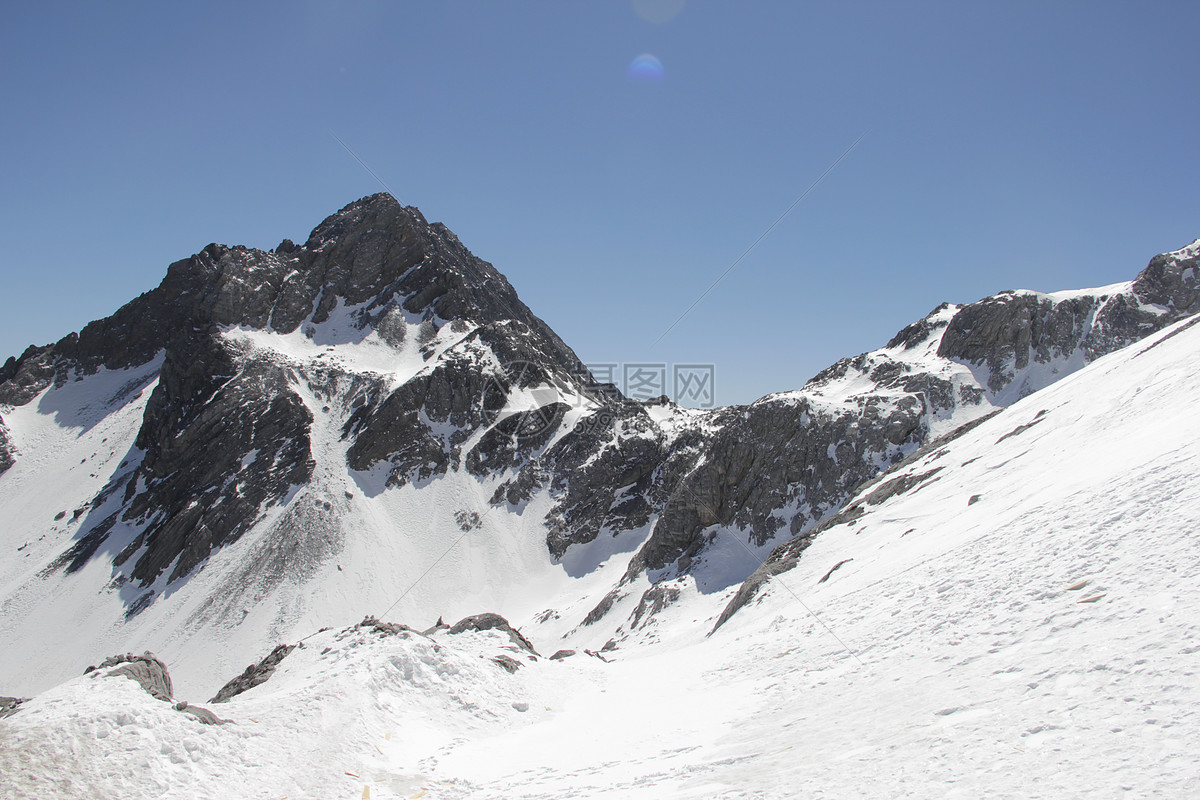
(226, 435)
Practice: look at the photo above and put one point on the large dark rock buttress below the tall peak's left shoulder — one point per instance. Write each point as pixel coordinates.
(199, 429)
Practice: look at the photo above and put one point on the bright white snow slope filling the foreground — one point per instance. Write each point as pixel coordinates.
(1007, 613)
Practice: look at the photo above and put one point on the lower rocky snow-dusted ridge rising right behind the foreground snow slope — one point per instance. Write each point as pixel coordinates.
(789, 461)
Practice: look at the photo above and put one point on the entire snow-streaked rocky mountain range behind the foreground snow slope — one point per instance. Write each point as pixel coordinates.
(373, 423)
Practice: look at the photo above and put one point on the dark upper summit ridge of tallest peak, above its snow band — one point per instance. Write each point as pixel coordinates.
(383, 260)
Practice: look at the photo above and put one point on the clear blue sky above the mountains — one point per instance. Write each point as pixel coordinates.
(1042, 146)
